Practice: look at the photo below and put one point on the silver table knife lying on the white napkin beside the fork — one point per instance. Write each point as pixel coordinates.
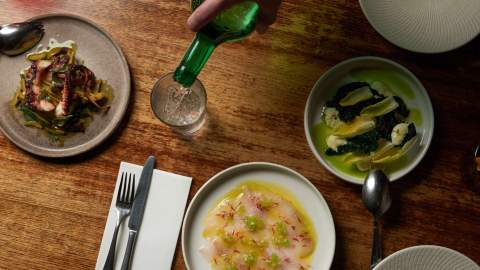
(138, 208)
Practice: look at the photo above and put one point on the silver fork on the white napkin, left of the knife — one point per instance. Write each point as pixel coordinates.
(125, 196)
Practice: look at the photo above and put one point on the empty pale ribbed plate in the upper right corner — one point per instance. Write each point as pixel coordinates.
(426, 26)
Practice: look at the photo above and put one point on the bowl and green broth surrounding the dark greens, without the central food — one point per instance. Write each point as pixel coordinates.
(369, 69)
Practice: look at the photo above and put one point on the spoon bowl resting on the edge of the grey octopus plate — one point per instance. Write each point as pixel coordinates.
(17, 38)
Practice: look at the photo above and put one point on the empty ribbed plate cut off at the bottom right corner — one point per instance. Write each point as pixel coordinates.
(427, 258)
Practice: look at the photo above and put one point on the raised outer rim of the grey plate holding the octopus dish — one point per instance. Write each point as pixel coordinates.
(111, 127)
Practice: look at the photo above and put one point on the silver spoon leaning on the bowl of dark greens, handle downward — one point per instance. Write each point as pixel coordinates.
(376, 197)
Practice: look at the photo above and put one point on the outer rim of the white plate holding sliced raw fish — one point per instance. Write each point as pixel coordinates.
(212, 182)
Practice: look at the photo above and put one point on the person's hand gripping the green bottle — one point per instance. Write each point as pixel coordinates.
(211, 8)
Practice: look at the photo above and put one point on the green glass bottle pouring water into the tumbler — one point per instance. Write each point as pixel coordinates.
(231, 24)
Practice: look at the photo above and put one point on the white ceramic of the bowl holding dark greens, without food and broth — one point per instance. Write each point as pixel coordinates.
(328, 84)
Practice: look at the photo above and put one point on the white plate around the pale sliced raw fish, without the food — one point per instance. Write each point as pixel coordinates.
(312, 201)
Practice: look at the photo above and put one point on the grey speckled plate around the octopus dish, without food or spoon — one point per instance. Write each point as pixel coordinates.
(101, 54)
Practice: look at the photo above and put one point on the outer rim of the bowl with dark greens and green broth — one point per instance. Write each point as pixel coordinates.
(331, 71)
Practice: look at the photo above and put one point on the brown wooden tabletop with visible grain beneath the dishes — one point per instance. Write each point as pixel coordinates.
(52, 212)
